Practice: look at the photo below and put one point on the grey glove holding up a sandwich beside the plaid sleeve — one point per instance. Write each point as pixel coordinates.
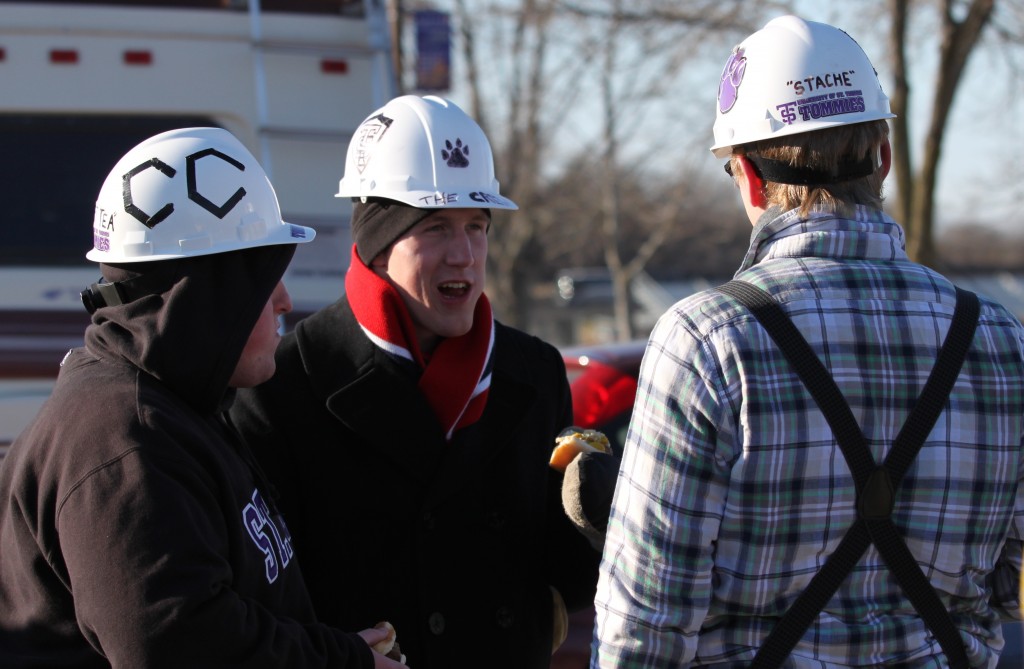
(587, 491)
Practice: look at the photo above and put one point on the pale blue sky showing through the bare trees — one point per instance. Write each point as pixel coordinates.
(983, 170)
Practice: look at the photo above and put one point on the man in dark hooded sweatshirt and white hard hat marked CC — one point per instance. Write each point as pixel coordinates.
(136, 529)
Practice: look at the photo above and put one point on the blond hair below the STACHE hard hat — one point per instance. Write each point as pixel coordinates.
(824, 150)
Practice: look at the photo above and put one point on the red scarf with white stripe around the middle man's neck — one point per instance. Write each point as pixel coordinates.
(457, 378)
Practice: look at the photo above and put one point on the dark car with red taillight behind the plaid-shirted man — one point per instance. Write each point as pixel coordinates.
(604, 380)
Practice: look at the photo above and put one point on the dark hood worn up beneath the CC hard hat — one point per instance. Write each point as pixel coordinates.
(187, 321)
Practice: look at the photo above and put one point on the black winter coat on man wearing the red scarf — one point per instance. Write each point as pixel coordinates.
(456, 543)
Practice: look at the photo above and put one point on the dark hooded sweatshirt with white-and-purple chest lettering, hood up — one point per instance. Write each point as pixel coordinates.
(134, 530)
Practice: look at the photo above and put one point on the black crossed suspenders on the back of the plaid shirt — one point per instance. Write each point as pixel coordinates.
(876, 484)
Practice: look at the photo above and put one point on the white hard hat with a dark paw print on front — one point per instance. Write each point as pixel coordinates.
(423, 152)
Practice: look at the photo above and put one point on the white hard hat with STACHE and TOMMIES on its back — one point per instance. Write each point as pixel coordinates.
(795, 76)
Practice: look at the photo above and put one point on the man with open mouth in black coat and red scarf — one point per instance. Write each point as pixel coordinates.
(407, 398)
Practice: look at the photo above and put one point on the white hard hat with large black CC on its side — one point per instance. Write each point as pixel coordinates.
(188, 193)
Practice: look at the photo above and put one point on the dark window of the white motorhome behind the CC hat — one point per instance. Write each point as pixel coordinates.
(52, 170)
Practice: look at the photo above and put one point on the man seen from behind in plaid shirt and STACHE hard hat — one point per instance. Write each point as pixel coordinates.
(734, 491)
